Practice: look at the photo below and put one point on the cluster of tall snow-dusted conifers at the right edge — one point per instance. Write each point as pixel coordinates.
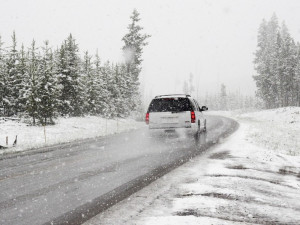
(277, 63)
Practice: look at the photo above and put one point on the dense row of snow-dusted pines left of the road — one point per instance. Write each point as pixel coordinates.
(42, 83)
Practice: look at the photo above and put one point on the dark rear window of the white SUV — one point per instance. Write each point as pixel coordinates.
(170, 105)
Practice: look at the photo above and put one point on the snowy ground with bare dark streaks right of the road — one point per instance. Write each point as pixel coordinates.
(253, 177)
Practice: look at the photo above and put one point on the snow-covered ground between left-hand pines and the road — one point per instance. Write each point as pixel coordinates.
(65, 130)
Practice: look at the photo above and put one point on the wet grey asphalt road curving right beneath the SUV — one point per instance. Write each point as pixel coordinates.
(71, 183)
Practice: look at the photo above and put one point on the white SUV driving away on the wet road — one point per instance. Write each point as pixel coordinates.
(176, 111)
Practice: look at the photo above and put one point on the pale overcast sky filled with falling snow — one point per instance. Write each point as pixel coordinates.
(213, 40)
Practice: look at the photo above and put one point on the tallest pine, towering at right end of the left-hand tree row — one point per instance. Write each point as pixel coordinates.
(134, 42)
